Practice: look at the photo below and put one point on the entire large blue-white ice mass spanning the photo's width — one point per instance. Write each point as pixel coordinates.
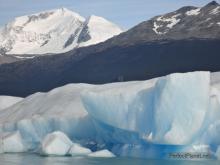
(149, 119)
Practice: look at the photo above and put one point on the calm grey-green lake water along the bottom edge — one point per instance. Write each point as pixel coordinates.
(32, 159)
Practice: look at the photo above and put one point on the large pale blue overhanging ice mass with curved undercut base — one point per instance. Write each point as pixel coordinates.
(170, 112)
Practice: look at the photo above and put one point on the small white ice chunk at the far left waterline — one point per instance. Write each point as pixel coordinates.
(11, 142)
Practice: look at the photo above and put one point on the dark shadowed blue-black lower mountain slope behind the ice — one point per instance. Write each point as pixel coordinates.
(138, 62)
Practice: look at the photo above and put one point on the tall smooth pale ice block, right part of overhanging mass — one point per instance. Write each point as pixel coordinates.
(180, 122)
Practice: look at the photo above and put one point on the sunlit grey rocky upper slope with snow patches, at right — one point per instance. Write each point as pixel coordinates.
(186, 22)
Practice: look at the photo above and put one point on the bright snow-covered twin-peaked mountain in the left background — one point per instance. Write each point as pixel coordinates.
(54, 31)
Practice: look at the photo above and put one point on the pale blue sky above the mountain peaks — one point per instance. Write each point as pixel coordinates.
(125, 13)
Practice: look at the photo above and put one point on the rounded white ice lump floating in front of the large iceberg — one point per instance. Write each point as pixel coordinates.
(56, 143)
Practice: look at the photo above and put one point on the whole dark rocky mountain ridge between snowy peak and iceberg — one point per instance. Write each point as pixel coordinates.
(185, 40)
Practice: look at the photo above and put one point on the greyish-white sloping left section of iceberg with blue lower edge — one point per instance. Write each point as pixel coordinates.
(42, 113)
